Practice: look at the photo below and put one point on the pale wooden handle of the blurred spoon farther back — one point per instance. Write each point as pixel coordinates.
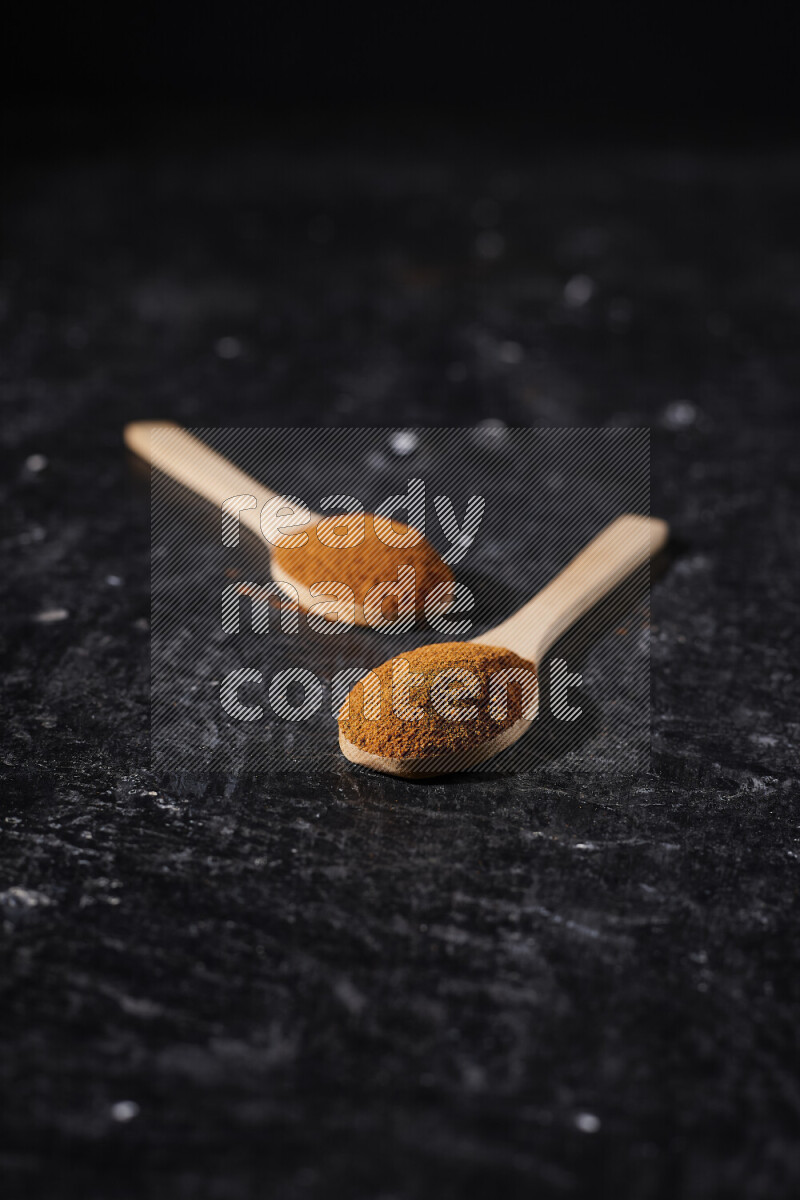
(195, 465)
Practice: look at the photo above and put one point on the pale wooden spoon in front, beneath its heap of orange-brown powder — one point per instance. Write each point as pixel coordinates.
(624, 547)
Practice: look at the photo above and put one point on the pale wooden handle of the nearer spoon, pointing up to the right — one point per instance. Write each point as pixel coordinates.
(623, 547)
